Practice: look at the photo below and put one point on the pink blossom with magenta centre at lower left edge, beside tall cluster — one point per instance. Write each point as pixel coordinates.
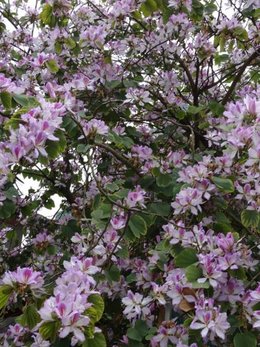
(24, 278)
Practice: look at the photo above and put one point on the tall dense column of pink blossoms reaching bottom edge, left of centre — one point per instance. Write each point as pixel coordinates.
(70, 300)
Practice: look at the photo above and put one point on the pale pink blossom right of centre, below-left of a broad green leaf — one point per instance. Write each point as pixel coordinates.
(188, 199)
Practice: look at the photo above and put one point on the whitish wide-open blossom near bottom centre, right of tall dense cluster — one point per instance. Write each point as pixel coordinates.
(136, 305)
